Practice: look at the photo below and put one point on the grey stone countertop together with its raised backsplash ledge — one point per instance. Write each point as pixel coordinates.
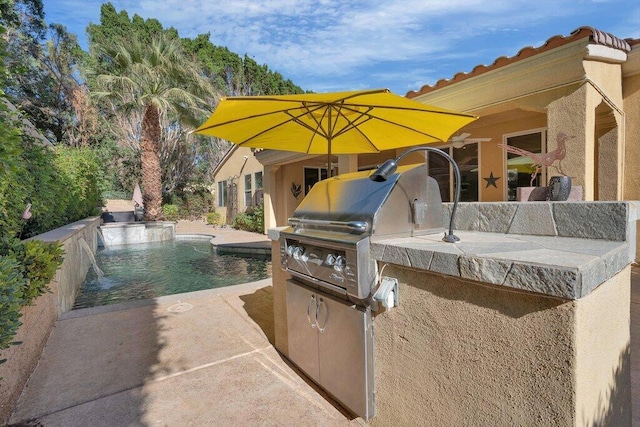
(561, 249)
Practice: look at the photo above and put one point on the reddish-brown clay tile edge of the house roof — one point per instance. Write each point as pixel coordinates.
(596, 36)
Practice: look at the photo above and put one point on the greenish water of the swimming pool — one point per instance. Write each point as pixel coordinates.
(151, 270)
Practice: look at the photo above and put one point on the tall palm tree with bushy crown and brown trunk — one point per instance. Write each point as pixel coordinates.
(159, 82)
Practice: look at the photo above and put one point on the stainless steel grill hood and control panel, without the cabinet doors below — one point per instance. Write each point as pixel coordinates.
(328, 242)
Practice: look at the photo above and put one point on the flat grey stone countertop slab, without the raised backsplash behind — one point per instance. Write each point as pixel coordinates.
(563, 267)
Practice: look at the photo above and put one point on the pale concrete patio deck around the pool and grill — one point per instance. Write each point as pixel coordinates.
(203, 358)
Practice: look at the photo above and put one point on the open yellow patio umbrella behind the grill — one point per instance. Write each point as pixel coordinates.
(367, 121)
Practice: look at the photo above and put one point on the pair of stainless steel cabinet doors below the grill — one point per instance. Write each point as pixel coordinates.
(332, 342)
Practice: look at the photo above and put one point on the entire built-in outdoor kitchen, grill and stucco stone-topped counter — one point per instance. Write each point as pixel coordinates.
(520, 318)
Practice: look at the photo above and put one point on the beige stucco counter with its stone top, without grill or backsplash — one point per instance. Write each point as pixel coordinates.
(504, 330)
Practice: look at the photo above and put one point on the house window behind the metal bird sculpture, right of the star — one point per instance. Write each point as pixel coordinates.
(519, 166)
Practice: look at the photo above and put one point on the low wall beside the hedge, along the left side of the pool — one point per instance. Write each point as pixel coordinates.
(39, 318)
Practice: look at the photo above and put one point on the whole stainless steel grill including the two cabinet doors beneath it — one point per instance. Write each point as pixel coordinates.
(326, 250)
